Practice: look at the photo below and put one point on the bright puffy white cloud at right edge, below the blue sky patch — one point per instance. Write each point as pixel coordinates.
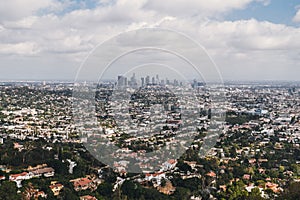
(253, 35)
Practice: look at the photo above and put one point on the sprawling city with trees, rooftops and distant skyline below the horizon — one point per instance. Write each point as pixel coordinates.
(45, 155)
